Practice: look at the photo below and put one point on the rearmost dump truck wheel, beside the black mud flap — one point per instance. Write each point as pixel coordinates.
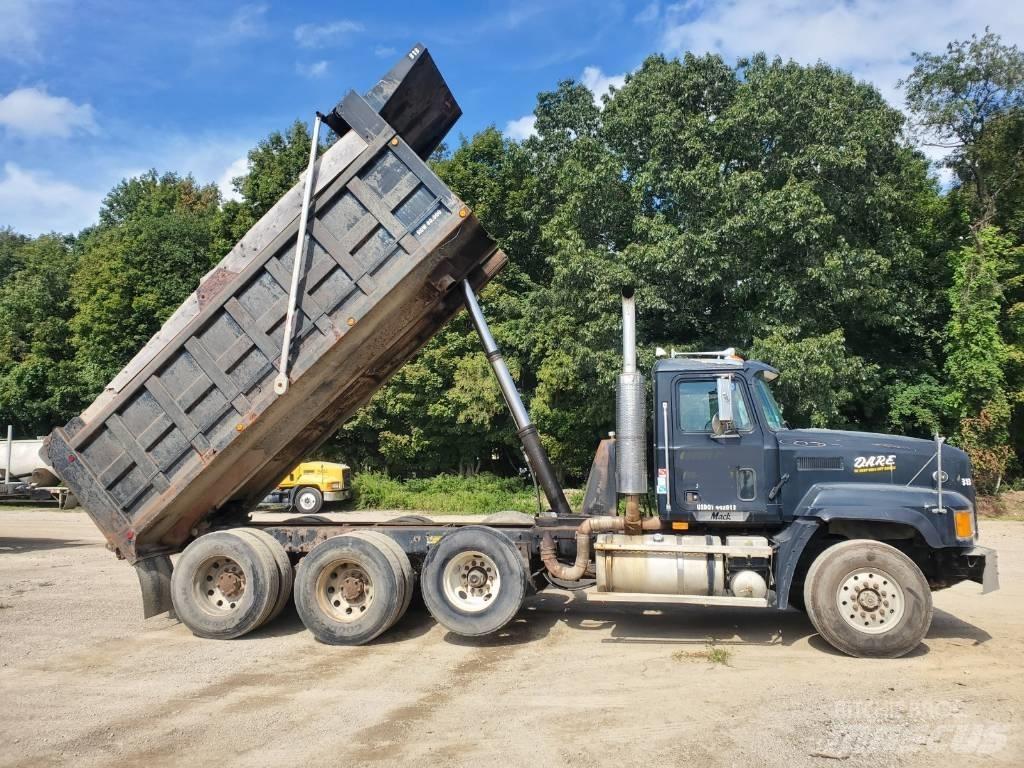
(225, 585)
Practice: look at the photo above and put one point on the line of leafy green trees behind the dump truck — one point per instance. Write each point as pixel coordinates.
(787, 210)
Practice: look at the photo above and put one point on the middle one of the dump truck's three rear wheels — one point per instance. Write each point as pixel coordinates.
(349, 590)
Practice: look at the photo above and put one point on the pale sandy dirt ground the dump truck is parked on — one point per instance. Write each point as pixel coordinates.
(86, 682)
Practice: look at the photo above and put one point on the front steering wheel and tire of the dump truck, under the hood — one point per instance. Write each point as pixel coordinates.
(869, 600)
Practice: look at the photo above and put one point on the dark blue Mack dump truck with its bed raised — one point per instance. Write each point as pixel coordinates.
(339, 285)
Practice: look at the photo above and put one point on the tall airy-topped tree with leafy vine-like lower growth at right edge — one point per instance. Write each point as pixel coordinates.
(970, 100)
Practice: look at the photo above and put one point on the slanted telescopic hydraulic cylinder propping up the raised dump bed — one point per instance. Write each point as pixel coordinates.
(540, 464)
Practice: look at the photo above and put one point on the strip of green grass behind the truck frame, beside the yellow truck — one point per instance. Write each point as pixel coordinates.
(480, 495)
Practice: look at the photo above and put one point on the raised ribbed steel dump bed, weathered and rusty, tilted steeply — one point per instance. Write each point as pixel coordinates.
(192, 425)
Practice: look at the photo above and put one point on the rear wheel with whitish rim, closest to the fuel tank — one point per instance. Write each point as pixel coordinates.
(475, 581)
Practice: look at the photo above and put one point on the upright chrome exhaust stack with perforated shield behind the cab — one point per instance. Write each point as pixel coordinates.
(631, 401)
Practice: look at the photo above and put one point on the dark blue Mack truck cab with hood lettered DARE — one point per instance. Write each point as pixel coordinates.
(726, 459)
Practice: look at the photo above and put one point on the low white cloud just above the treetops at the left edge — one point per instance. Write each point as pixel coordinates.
(34, 203)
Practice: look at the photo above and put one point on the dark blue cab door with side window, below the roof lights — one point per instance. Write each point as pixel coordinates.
(713, 478)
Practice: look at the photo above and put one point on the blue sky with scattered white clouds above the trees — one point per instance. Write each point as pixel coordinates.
(92, 93)
